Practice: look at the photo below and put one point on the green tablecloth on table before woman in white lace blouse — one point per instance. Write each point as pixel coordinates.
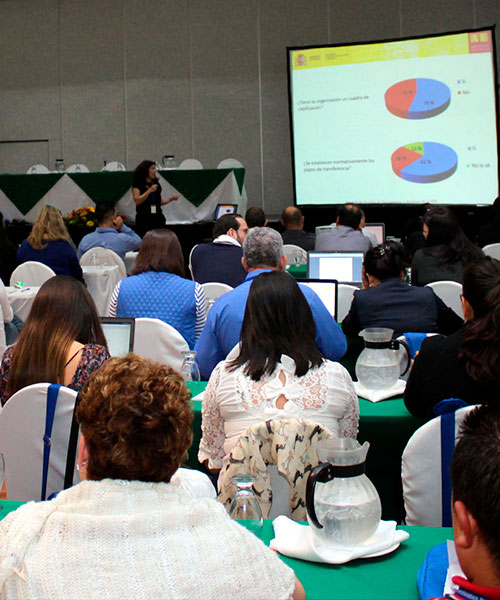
(387, 425)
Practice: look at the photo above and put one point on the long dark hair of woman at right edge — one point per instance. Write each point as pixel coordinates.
(480, 345)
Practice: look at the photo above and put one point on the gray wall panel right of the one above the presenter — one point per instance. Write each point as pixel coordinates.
(226, 116)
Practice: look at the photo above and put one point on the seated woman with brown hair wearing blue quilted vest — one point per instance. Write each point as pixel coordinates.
(158, 288)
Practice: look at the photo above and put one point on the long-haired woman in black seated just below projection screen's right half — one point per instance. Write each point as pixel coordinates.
(447, 250)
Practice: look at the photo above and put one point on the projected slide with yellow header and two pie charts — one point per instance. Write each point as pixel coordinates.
(407, 121)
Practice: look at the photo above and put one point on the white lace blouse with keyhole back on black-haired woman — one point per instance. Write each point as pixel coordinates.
(233, 402)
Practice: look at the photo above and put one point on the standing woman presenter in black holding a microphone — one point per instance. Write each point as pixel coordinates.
(146, 191)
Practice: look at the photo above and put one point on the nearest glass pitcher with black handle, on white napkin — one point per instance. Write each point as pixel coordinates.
(343, 506)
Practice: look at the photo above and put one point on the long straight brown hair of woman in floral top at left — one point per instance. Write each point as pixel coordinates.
(62, 313)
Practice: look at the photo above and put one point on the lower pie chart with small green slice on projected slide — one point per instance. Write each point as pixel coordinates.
(424, 162)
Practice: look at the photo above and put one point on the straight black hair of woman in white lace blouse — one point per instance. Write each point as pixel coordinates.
(278, 320)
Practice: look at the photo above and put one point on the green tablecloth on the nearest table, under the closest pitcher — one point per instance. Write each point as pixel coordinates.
(390, 577)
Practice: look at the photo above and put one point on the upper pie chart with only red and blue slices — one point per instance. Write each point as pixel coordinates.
(417, 98)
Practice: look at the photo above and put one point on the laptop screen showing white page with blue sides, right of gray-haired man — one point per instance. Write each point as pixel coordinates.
(345, 267)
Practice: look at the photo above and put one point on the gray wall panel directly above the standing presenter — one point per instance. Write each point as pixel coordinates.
(158, 79)
